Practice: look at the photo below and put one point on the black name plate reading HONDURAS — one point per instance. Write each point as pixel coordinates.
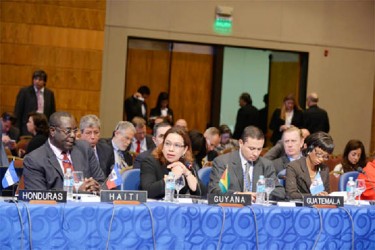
(42, 195)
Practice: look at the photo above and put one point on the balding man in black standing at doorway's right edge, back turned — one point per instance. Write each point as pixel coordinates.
(315, 119)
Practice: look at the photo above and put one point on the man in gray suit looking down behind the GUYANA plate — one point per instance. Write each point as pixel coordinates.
(245, 162)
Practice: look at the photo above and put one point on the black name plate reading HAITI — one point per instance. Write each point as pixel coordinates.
(117, 195)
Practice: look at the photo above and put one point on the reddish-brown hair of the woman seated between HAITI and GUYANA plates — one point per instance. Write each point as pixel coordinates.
(158, 152)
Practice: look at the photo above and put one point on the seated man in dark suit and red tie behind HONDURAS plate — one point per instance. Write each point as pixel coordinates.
(44, 167)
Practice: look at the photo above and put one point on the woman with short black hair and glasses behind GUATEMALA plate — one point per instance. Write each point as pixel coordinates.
(309, 175)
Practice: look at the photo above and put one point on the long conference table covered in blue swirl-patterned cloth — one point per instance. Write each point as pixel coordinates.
(161, 225)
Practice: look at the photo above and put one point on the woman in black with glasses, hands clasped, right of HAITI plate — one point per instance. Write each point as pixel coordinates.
(173, 155)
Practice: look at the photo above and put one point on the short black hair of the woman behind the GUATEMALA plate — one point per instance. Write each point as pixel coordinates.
(321, 140)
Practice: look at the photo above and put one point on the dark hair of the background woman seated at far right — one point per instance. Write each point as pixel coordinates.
(353, 145)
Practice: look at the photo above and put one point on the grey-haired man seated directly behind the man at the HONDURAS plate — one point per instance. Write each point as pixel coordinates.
(90, 132)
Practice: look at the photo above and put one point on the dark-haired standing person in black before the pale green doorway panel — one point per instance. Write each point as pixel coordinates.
(247, 115)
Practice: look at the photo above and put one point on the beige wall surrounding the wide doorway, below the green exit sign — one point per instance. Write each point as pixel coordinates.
(344, 79)
